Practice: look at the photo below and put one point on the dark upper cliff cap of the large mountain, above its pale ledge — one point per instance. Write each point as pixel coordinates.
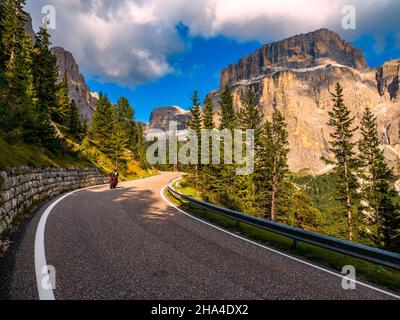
(303, 51)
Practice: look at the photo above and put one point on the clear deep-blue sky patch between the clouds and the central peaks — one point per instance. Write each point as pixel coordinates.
(198, 68)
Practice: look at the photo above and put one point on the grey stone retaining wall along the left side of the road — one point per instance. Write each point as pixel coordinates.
(21, 188)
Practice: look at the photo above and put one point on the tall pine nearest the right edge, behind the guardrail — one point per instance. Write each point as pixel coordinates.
(377, 187)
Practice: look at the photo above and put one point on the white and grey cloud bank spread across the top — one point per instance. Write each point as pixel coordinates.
(130, 41)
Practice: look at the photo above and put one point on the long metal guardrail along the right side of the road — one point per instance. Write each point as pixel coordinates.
(382, 257)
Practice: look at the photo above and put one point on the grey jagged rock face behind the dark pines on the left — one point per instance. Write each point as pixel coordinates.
(78, 90)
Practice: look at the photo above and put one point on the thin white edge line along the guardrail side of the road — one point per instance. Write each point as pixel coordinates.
(273, 250)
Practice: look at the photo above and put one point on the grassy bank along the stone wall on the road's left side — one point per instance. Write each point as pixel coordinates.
(72, 154)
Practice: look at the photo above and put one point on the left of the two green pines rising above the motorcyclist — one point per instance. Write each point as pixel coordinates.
(102, 125)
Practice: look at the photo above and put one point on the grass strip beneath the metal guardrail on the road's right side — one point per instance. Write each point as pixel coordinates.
(366, 271)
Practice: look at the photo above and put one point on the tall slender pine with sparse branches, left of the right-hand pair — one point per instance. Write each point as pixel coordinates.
(342, 147)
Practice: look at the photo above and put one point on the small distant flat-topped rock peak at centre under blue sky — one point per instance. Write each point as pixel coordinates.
(161, 117)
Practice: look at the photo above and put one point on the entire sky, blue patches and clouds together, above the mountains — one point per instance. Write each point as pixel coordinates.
(156, 52)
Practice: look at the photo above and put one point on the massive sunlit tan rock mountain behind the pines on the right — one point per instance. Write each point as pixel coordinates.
(303, 94)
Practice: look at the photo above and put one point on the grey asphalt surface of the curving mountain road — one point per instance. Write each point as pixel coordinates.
(131, 244)
